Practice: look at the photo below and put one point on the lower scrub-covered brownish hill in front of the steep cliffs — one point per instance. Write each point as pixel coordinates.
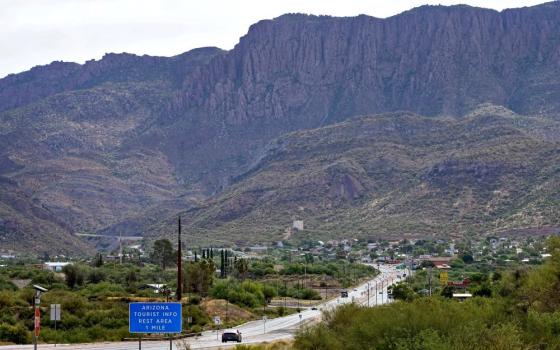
(395, 175)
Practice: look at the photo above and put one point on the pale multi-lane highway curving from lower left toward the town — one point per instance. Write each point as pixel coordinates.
(254, 331)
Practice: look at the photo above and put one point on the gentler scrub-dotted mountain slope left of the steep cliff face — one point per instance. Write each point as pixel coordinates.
(67, 153)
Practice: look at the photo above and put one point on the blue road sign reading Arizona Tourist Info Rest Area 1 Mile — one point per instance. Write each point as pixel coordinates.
(155, 318)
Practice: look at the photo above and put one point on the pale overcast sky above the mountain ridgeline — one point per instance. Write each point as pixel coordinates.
(37, 32)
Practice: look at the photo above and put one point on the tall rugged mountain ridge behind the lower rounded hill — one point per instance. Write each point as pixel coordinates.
(115, 145)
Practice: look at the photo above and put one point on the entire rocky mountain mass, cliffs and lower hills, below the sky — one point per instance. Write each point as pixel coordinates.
(120, 144)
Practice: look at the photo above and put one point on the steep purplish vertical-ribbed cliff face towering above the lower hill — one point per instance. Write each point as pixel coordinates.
(300, 72)
